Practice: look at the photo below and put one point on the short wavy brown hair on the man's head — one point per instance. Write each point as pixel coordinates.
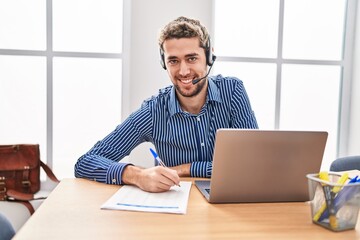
(184, 27)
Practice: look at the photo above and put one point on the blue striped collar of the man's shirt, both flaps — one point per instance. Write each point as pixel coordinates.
(213, 95)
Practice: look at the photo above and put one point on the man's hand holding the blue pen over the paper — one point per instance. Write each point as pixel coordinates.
(155, 179)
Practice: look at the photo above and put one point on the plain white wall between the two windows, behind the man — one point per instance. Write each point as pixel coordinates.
(147, 76)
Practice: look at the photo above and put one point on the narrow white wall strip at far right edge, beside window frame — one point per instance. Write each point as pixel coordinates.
(354, 133)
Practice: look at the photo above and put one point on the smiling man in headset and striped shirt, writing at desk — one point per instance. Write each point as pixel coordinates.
(181, 120)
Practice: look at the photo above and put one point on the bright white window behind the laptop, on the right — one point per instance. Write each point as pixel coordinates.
(292, 57)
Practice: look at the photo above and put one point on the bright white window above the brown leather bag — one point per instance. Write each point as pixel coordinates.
(61, 75)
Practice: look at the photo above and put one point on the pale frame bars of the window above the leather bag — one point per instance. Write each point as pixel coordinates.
(50, 54)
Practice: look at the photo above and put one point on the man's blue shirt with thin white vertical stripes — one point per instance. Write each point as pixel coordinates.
(178, 136)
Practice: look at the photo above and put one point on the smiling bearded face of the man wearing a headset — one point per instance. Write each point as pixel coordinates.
(185, 61)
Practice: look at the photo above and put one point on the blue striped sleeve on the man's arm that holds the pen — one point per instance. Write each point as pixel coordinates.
(102, 162)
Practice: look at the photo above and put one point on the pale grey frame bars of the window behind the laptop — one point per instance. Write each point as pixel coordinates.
(346, 65)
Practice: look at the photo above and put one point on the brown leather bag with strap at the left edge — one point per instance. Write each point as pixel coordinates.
(20, 172)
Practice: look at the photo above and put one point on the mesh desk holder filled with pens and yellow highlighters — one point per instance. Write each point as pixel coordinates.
(334, 206)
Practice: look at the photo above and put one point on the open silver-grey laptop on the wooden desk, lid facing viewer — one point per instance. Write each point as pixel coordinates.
(263, 165)
